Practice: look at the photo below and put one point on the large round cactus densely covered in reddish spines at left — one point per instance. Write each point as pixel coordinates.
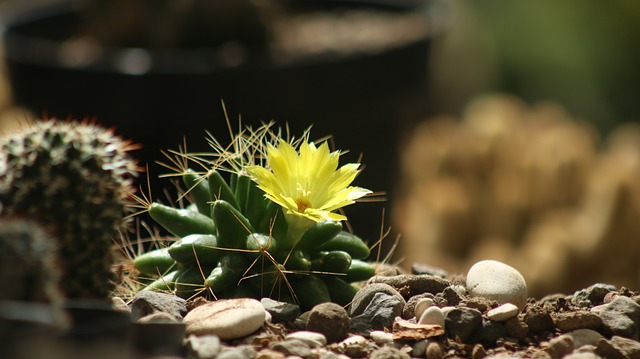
(75, 178)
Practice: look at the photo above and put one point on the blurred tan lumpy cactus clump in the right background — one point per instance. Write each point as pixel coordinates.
(530, 186)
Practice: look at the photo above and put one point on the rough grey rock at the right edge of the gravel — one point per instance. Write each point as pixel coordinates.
(619, 317)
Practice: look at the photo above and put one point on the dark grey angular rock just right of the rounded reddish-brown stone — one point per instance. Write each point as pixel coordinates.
(378, 315)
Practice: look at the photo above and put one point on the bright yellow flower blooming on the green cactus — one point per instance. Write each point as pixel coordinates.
(310, 184)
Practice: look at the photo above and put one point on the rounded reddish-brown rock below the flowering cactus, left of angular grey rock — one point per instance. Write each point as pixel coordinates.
(329, 319)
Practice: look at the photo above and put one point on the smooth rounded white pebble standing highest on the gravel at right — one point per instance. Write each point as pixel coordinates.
(497, 281)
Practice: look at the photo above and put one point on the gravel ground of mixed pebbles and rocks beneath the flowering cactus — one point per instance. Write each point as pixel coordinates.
(485, 314)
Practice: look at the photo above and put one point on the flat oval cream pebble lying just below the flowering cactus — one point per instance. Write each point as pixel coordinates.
(226, 318)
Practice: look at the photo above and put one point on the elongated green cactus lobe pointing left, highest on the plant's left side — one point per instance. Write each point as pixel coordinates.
(181, 222)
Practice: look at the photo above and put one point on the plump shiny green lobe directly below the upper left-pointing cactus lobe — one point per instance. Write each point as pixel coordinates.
(196, 249)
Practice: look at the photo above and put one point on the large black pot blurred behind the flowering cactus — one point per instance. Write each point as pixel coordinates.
(155, 97)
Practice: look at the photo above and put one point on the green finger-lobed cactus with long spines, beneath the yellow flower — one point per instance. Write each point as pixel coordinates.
(235, 241)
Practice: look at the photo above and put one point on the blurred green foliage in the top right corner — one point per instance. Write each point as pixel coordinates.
(583, 54)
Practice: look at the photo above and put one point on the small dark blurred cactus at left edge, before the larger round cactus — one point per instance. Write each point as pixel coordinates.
(28, 270)
